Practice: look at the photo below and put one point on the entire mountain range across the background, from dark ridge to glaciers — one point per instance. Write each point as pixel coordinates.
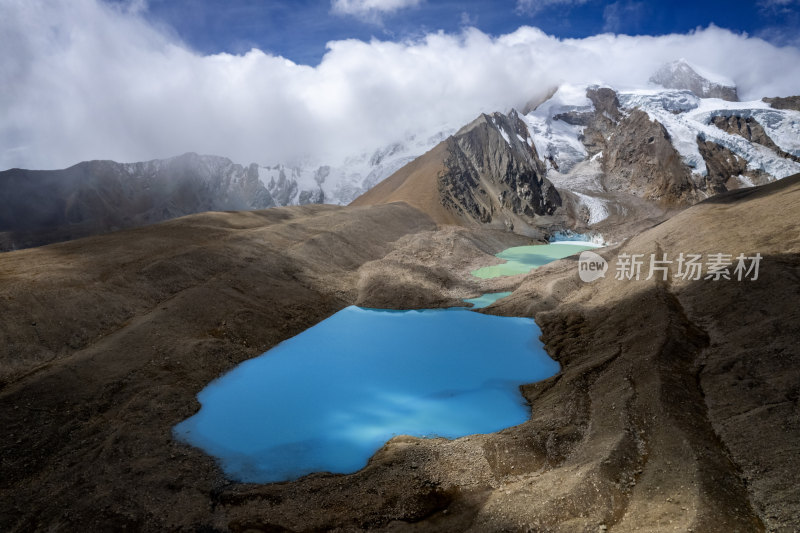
(612, 153)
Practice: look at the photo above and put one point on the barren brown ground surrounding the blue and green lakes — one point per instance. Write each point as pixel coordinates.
(677, 406)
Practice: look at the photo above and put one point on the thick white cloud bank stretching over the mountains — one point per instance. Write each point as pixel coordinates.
(81, 80)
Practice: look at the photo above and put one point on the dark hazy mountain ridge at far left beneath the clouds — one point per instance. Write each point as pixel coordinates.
(40, 207)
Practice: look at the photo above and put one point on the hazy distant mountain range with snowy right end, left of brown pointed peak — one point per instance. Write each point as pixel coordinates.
(40, 207)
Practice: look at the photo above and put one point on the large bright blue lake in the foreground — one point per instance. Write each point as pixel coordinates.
(329, 398)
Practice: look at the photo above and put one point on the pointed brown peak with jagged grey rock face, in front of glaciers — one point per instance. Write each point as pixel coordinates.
(488, 173)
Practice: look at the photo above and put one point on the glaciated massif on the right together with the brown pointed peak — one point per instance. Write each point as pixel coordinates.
(605, 161)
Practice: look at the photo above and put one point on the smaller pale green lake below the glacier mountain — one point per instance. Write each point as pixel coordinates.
(523, 259)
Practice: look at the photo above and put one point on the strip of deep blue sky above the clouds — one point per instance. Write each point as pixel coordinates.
(298, 30)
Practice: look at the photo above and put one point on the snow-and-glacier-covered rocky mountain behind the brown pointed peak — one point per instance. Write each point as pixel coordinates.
(683, 139)
